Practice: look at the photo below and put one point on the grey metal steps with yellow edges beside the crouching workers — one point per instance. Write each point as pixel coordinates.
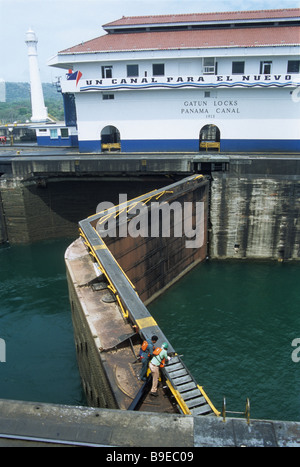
(189, 396)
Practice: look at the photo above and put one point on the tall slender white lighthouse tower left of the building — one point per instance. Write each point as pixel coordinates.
(39, 111)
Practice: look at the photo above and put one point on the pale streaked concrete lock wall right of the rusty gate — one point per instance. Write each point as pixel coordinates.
(255, 211)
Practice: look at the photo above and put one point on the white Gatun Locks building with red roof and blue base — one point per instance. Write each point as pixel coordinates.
(223, 81)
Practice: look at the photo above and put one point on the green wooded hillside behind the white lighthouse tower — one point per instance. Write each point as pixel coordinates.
(18, 105)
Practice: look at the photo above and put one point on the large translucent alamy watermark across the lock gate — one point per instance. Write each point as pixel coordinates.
(155, 219)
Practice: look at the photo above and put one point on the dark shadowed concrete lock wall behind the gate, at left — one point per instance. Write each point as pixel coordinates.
(38, 209)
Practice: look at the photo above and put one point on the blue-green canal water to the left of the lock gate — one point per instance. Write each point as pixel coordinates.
(35, 323)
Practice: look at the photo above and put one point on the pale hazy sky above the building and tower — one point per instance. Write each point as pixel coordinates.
(60, 24)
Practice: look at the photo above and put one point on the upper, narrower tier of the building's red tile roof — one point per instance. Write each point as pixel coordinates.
(205, 17)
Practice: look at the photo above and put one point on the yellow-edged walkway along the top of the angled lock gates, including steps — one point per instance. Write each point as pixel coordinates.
(190, 397)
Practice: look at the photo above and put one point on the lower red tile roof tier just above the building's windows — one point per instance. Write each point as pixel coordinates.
(245, 37)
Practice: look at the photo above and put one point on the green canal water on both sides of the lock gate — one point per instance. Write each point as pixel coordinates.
(233, 322)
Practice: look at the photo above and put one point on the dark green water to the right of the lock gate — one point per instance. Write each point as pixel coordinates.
(234, 323)
